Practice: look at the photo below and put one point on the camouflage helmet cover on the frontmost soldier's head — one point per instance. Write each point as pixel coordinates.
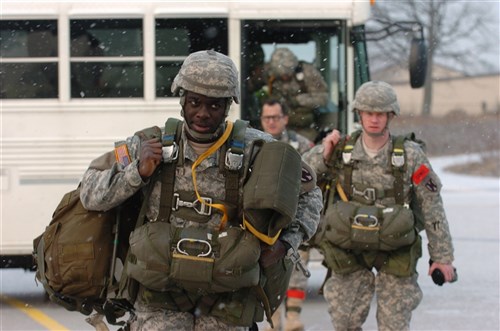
(208, 73)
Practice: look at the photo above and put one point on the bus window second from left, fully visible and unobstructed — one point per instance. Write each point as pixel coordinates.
(106, 58)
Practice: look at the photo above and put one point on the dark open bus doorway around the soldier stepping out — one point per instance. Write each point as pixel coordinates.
(316, 42)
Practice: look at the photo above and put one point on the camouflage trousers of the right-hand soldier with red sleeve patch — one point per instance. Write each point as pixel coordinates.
(349, 297)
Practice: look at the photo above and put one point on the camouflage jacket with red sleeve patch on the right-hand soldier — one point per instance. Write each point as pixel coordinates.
(421, 188)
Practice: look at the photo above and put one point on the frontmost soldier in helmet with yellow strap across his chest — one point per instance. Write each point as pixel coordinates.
(199, 263)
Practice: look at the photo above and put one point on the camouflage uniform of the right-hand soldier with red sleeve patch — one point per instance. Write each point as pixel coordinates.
(349, 293)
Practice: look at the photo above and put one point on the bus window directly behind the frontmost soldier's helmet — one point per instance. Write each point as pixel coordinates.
(177, 38)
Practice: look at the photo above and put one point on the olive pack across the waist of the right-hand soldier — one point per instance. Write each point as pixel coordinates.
(351, 226)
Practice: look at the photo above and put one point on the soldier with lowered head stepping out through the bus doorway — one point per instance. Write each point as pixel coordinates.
(299, 85)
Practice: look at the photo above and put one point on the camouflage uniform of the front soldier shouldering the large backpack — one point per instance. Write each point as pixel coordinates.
(105, 189)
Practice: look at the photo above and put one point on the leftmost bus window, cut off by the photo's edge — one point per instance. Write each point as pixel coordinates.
(29, 59)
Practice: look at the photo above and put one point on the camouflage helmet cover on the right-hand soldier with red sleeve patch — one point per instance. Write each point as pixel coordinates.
(376, 96)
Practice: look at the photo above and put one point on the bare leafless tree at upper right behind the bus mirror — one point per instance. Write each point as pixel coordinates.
(459, 35)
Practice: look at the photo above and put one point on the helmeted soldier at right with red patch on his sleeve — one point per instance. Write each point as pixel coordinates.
(387, 193)
